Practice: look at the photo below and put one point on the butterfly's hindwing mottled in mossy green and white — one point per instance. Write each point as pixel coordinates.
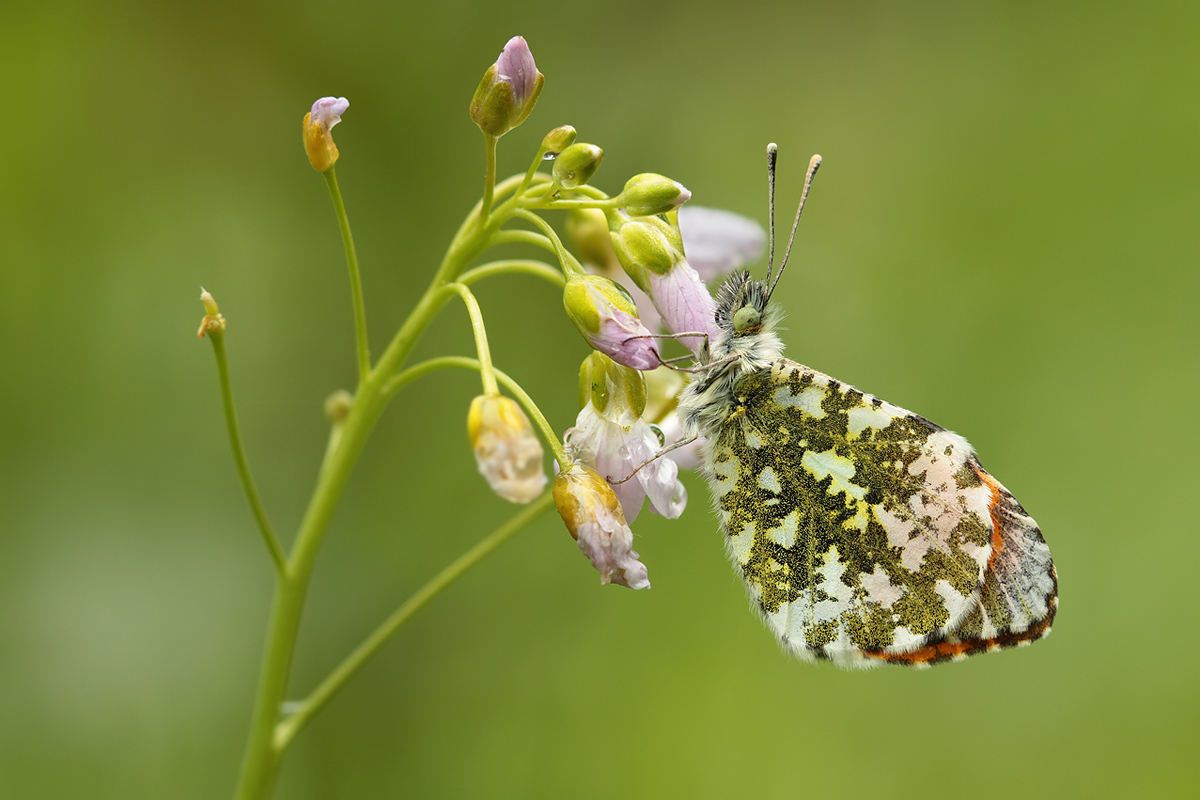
(862, 530)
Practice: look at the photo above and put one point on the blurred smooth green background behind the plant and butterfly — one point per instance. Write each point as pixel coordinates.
(1004, 238)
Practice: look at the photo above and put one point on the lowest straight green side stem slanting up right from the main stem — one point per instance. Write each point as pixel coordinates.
(287, 730)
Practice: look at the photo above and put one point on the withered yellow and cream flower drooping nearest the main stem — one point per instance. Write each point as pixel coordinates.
(507, 450)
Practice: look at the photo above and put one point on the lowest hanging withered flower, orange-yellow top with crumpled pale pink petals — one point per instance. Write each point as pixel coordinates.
(595, 519)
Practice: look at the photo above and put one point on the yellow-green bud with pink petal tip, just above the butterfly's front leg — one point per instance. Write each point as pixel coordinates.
(608, 318)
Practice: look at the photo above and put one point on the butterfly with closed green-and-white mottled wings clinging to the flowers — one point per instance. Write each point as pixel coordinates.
(866, 534)
